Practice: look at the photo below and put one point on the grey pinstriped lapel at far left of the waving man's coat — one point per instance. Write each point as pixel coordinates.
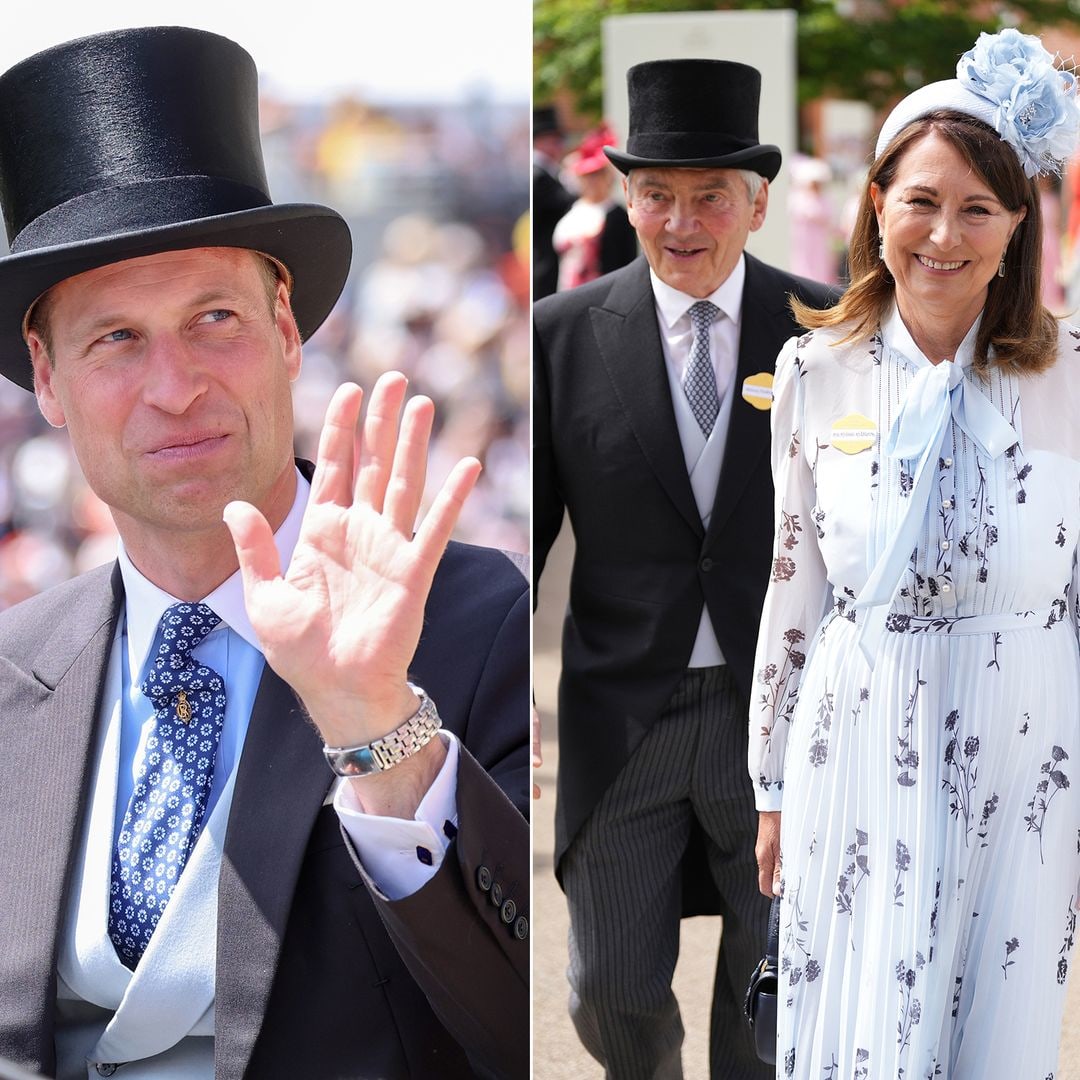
(47, 741)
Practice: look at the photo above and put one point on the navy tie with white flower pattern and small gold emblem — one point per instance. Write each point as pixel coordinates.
(167, 808)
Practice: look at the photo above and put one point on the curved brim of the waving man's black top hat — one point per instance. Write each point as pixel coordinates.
(312, 241)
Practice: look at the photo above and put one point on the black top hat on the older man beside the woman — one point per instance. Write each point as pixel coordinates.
(695, 115)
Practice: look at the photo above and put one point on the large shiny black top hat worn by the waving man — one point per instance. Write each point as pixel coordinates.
(138, 142)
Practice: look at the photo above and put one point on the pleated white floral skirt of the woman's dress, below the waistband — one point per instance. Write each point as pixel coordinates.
(931, 855)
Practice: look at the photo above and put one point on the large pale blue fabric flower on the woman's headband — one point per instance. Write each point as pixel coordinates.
(1036, 105)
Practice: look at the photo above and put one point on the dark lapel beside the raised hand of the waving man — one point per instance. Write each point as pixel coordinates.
(282, 780)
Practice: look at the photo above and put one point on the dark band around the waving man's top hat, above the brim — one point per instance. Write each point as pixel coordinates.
(137, 208)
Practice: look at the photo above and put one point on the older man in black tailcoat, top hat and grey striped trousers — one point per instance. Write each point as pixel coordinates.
(651, 435)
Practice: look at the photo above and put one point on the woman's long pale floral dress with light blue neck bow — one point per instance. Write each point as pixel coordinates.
(930, 841)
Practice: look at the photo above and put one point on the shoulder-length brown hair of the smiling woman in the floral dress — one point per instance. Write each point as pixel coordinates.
(1022, 333)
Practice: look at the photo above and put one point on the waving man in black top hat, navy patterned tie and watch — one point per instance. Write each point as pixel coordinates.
(258, 779)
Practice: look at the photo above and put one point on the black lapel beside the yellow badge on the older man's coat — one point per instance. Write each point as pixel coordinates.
(766, 325)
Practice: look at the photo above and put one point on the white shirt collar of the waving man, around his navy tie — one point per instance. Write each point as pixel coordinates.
(145, 603)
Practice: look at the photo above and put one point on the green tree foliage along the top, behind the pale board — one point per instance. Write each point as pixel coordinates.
(867, 50)
